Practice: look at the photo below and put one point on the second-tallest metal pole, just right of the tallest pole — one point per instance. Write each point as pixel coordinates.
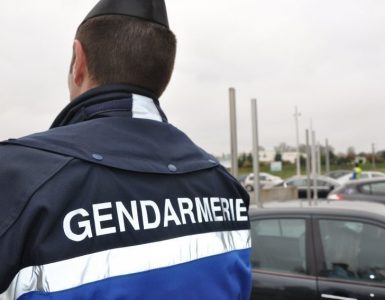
(254, 123)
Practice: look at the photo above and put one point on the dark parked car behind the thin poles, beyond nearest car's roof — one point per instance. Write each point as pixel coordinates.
(324, 185)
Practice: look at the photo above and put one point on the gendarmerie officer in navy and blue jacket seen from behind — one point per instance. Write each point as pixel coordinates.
(113, 202)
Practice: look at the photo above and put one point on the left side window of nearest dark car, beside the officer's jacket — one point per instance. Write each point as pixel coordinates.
(279, 245)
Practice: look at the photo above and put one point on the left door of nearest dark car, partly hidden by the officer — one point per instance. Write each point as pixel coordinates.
(282, 261)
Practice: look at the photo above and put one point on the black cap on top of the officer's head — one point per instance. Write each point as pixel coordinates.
(150, 10)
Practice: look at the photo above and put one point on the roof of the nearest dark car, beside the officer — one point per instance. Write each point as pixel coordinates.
(346, 208)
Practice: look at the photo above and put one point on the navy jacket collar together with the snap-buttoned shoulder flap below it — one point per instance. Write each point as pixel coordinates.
(129, 143)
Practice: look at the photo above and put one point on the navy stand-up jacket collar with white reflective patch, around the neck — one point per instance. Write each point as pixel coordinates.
(111, 100)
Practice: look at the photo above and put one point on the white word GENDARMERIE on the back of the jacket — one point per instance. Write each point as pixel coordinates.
(79, 224)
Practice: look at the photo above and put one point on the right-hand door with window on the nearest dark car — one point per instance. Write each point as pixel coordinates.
(350, 258)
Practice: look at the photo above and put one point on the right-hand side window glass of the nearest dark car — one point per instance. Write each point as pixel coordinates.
(353, 250)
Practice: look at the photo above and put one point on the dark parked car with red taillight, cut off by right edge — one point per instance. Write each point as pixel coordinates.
(364, 189)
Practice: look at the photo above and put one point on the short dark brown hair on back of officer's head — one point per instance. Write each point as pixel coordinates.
(122, 49)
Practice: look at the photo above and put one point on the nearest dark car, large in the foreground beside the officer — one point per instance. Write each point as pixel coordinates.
(321, 252)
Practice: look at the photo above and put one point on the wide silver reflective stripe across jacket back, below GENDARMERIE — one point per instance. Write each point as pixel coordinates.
(93, 267)
